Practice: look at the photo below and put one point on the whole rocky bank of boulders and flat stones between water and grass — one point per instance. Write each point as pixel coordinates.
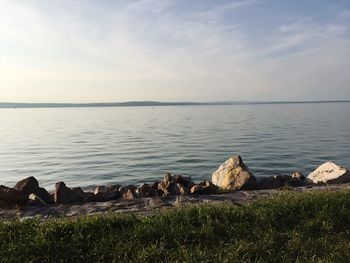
(232, 182)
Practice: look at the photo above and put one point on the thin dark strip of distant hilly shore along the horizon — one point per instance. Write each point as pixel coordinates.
(7, 105)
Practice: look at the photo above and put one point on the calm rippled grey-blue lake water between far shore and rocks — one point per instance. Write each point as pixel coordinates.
(91, 146)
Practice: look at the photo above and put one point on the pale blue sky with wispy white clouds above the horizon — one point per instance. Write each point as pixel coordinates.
(174, 50)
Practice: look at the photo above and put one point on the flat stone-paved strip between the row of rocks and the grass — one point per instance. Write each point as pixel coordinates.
(153, 205)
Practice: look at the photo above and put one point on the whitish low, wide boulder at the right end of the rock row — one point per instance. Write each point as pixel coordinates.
(330, 173)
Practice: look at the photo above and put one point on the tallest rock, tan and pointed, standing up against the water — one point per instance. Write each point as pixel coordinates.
(234, 175)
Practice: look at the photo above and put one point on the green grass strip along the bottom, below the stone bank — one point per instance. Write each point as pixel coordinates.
(311, 227)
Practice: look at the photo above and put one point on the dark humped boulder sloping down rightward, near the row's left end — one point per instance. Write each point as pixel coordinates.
(30, 185)
